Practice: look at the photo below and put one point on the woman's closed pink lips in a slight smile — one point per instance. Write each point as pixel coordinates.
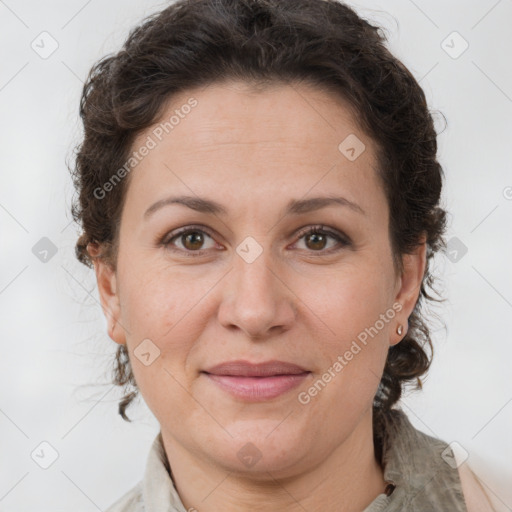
(256, 382)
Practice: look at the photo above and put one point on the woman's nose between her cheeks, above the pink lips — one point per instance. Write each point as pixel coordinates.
(257, 299)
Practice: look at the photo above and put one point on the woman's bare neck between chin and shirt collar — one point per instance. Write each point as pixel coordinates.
(347, 481)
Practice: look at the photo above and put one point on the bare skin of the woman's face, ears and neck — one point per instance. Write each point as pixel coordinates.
(302, 300)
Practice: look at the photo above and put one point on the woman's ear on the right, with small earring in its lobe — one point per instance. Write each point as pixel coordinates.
(409, 283)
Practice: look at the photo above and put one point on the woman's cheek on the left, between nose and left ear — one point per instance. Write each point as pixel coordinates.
(168, 308)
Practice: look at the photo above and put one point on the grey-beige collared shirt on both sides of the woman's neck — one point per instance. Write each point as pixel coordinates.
(420, 470)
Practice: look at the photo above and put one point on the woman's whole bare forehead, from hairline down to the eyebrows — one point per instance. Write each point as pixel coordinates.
(284, 138)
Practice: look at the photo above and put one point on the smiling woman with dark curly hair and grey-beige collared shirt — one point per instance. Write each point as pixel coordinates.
(259, 196)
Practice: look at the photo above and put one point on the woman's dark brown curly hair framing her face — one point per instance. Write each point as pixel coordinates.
(195, 43)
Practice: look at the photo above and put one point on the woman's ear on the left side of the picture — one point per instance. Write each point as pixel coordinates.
(108, 291)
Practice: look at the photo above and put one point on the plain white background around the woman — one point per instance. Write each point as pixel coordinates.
(56, 356)
